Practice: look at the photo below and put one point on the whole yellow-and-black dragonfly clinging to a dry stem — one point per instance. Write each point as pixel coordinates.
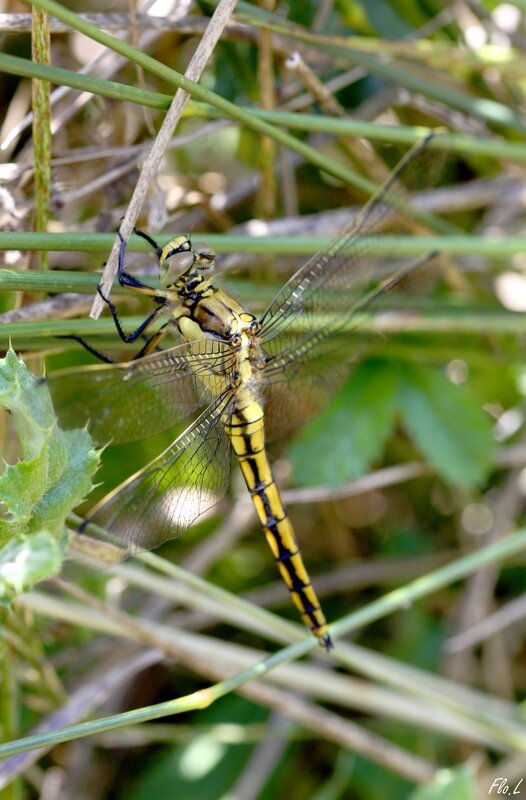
(248, 380)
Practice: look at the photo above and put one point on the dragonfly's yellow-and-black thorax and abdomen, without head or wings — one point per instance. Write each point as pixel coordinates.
(201, 311)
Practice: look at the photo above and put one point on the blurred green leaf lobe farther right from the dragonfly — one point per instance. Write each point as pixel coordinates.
(447, 425)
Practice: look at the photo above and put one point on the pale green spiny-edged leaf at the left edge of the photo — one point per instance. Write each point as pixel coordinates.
(52, 476)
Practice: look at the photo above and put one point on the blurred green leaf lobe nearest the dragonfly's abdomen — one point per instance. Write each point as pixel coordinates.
(343, 441)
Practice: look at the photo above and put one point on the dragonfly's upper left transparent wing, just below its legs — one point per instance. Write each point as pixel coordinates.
(126, 402)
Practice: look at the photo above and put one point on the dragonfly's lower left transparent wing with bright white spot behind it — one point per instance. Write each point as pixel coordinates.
(164, 498)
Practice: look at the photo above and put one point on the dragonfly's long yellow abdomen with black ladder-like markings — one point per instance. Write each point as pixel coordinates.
(245, 429)
